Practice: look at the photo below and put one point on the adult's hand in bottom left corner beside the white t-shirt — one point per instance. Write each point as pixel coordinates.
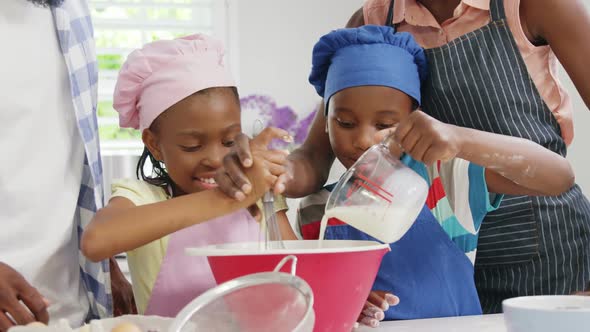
(20, 303)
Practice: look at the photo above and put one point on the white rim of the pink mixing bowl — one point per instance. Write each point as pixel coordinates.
(291, 247)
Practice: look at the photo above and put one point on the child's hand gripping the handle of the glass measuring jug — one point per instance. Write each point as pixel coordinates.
(426, 139)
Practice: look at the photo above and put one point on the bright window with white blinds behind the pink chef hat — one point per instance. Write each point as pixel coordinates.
(120, 26)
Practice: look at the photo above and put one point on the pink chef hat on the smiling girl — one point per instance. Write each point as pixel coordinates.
(163, 73)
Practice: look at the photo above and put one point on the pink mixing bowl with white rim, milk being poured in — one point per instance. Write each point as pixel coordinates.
(340, 273)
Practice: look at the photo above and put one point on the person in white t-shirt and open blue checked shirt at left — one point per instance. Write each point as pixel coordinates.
(51, 180)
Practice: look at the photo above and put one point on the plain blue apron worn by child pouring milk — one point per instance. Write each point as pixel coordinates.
(425, 269)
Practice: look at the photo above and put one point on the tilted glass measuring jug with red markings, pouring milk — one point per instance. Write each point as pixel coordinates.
(378, 195)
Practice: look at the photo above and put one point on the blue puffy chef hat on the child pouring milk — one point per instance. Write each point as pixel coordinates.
(369, 55)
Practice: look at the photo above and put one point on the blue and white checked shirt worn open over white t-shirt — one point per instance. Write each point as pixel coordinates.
(76, 38)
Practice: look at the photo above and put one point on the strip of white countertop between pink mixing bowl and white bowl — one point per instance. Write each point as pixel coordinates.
(484, 323)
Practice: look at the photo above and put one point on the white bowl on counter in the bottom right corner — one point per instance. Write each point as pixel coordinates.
(552, 313)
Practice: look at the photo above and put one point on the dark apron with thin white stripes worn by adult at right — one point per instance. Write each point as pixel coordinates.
(530, 245)
